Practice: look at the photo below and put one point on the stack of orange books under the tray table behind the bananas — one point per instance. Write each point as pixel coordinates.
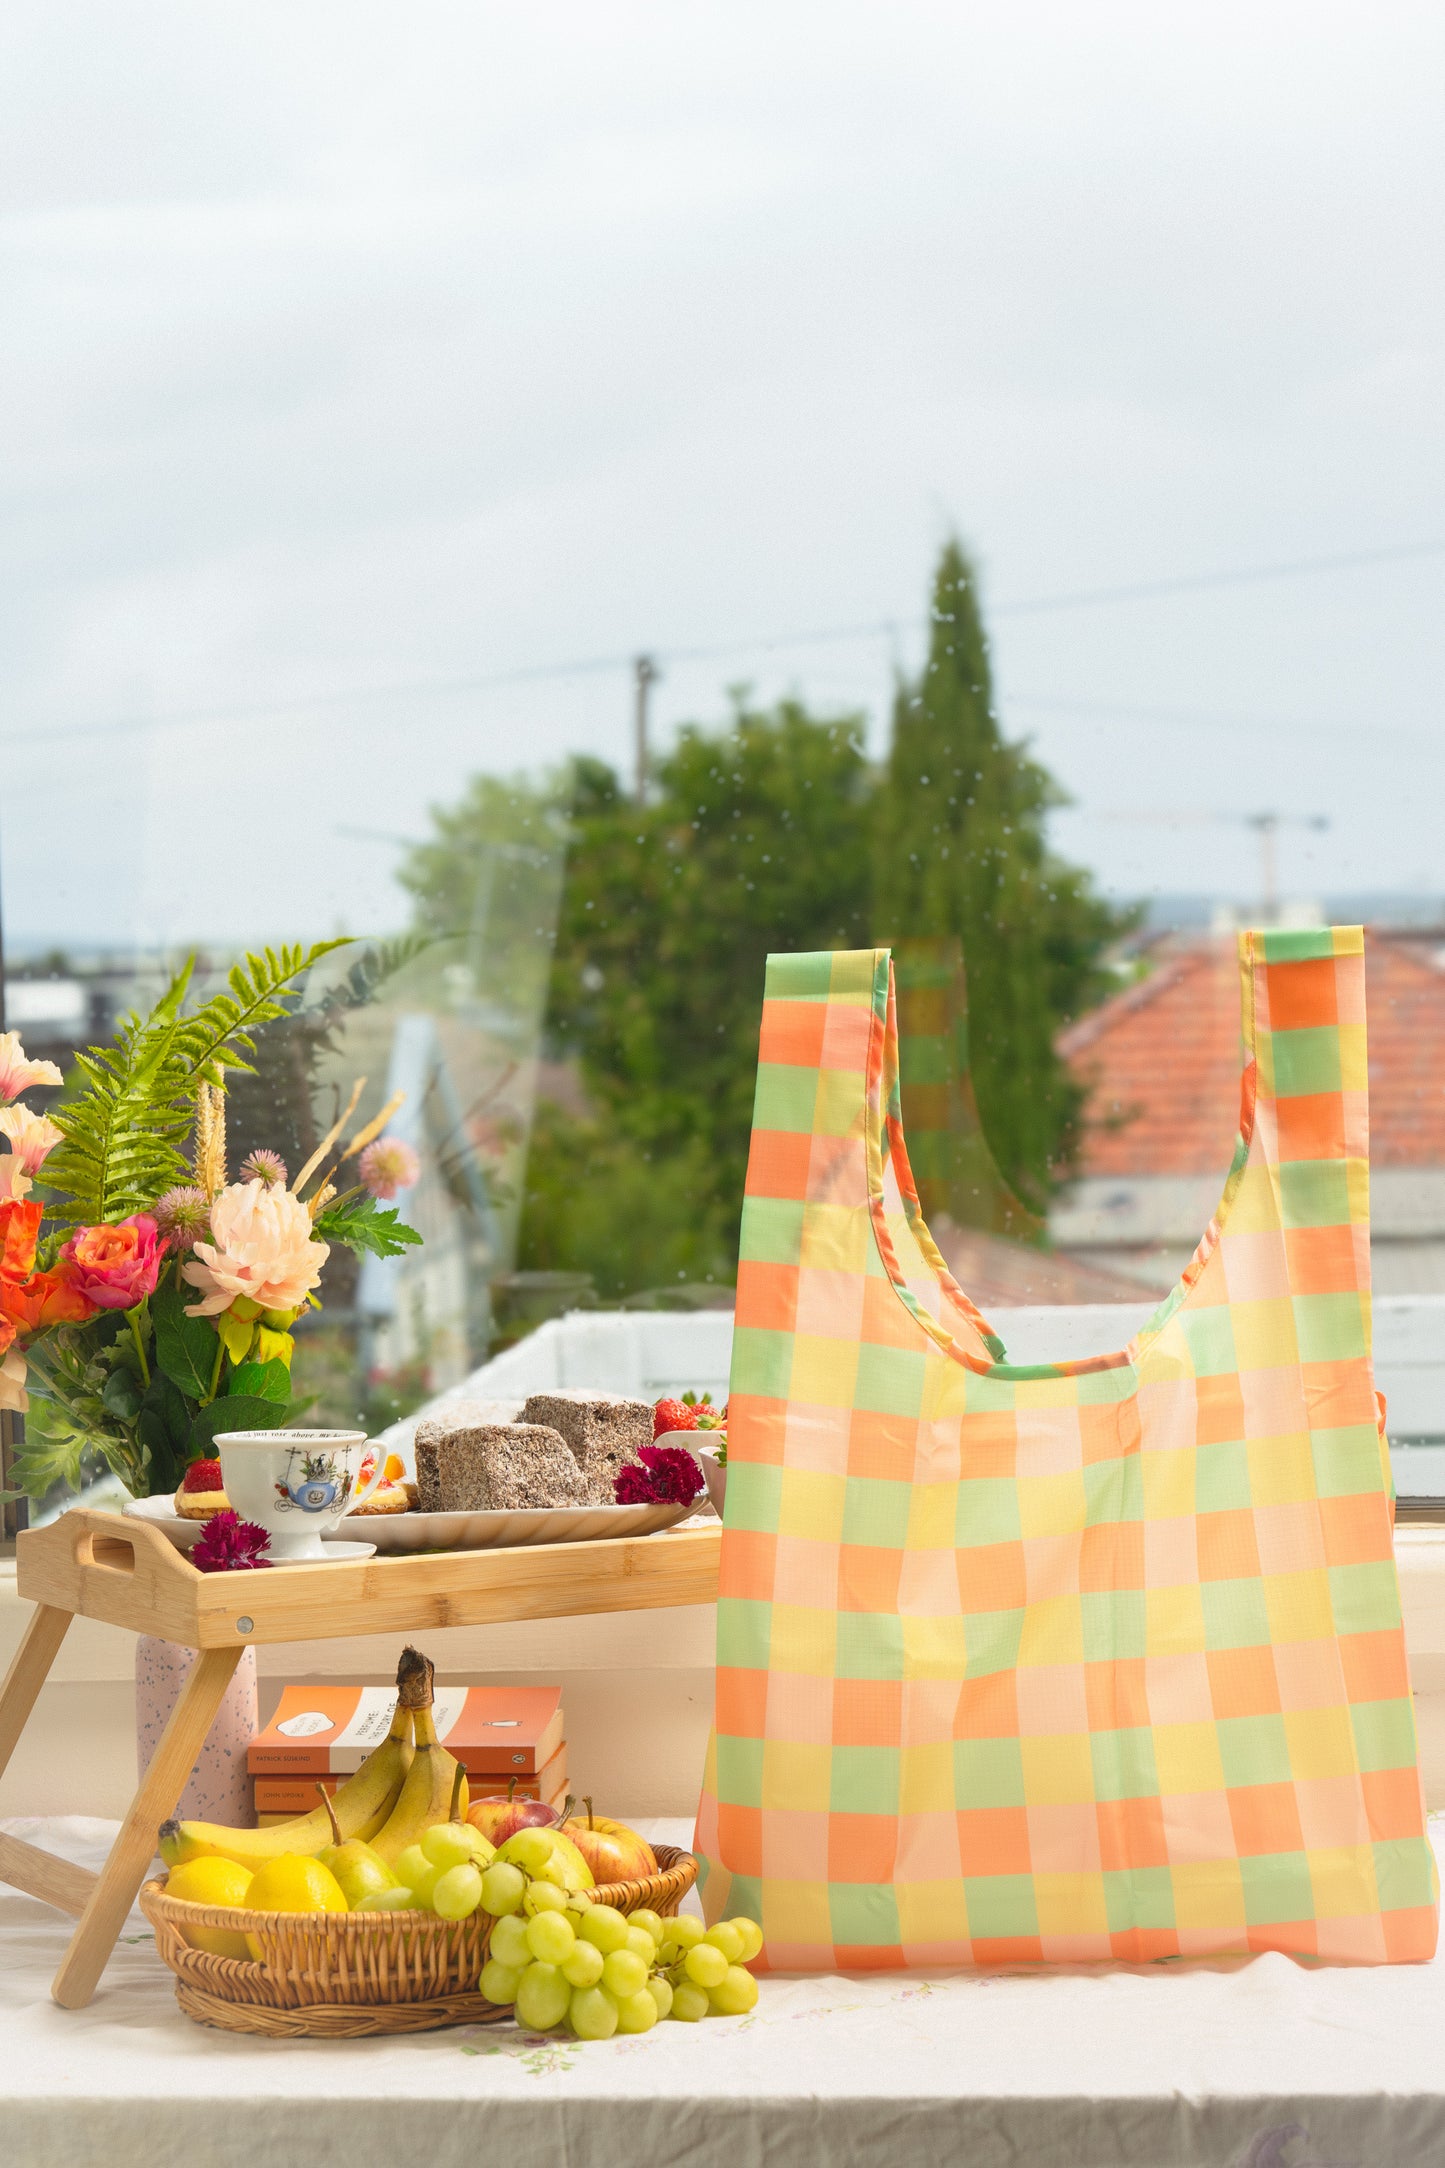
(502, 1735)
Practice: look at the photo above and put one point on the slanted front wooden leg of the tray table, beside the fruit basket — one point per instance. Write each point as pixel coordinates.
(135, 1848)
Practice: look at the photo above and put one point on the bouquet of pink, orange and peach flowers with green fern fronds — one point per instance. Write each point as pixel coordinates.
(148, 1304)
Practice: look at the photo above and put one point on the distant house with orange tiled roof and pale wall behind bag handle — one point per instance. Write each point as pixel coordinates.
(1162, 1068)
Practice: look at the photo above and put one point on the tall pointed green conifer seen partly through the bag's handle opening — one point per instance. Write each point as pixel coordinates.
(961, 849)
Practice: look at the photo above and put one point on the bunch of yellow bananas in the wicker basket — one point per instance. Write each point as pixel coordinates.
(404, 1788)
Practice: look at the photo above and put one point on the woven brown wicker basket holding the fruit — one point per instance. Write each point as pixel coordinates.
(341, 1974)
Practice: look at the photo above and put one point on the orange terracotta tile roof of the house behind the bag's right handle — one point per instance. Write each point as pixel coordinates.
(1162, 1063)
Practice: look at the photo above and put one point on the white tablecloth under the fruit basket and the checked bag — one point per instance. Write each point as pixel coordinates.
(1253, 2065)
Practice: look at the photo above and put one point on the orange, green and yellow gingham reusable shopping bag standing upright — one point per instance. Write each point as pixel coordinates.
(1097, 1660)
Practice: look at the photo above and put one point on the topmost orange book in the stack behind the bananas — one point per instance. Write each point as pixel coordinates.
(330, 1731)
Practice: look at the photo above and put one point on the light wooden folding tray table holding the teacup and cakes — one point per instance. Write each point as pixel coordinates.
(127, 1573)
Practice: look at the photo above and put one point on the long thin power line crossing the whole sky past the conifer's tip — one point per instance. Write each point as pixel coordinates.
(766, 645)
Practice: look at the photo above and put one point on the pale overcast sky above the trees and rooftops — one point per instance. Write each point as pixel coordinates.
(367, 348)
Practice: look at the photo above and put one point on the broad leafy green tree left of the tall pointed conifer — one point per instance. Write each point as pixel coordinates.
(757, 840)
